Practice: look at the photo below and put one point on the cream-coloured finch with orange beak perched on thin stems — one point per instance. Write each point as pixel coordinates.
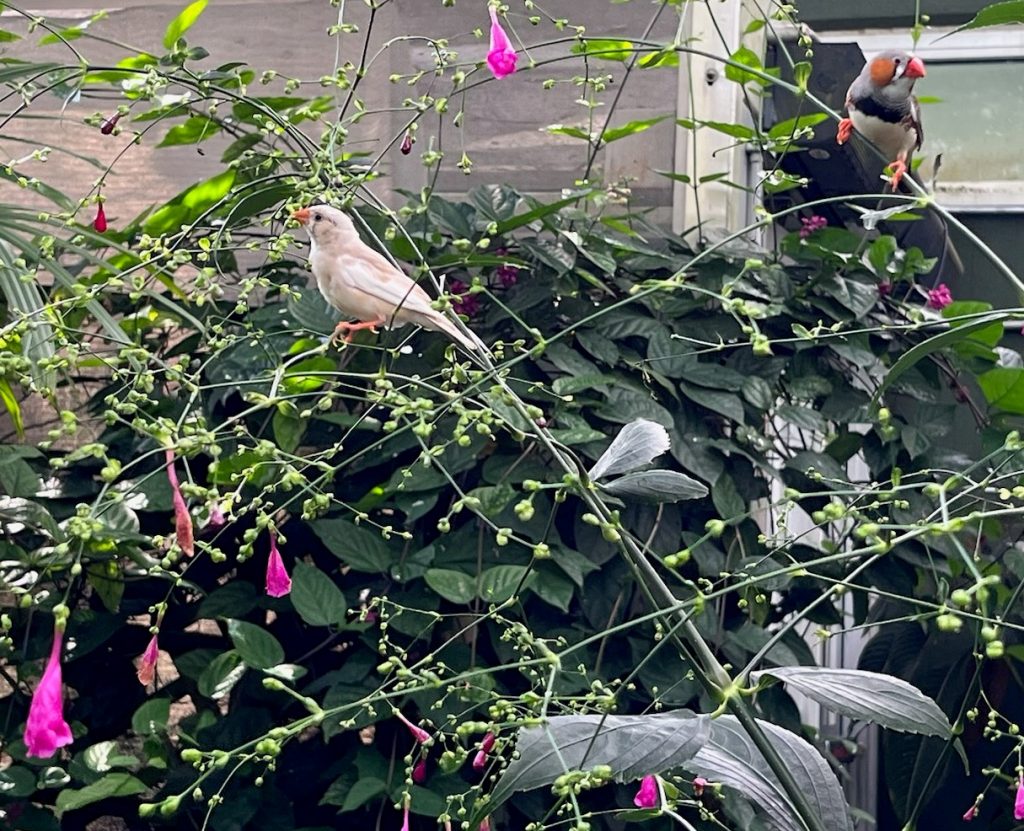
(362, 284)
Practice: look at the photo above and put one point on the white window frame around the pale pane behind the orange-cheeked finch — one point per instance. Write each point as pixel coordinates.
(992, 43)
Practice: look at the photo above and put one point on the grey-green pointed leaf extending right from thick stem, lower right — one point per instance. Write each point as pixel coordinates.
(872, 697)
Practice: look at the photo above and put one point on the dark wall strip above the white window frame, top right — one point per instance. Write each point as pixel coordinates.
(877, 14)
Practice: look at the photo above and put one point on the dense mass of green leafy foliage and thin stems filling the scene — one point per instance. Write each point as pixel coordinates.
(678, 466)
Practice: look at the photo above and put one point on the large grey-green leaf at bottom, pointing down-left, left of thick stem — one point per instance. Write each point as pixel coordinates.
(633, 747)
